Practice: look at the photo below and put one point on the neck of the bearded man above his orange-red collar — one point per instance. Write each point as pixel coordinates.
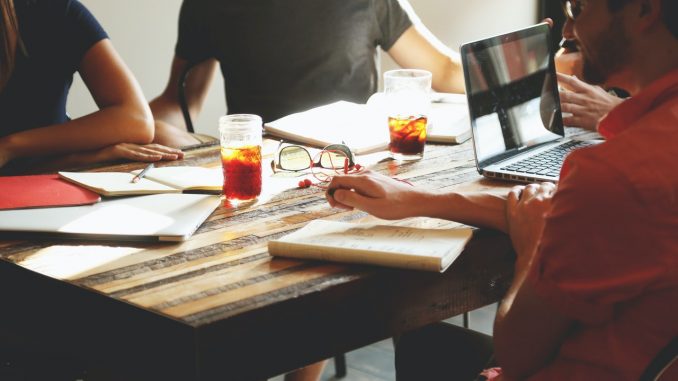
(650, 59)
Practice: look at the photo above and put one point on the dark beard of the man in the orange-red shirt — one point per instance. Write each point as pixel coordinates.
(606, 54)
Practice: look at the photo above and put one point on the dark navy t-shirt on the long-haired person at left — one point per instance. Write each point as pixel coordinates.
(56, 34)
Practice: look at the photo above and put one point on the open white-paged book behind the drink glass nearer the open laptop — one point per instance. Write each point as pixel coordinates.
(364, 127)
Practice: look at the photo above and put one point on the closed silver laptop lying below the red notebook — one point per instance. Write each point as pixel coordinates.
(158, 217)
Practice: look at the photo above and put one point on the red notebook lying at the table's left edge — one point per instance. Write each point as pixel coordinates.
(17, 192)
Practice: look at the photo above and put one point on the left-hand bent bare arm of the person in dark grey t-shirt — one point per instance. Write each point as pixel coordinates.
(170, 126)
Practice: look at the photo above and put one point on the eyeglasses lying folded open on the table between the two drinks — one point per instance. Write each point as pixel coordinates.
(297, 158)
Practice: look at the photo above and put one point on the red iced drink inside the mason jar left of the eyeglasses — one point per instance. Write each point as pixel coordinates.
(242, 172)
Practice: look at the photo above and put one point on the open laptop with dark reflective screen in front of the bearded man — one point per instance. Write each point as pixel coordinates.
(514, 106)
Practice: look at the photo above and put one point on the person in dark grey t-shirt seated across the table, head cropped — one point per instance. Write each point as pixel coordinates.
(280, 57)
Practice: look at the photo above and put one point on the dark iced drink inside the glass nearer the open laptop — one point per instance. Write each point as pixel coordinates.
(408, 136)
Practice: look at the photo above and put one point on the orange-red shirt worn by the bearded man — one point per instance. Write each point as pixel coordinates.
(608, 257)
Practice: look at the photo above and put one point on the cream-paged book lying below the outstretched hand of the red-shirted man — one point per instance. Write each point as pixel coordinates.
(384, 245)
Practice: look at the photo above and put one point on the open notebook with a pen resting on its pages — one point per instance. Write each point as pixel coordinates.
(157, 180)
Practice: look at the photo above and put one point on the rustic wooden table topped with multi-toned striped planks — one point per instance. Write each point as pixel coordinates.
(219, 307)
